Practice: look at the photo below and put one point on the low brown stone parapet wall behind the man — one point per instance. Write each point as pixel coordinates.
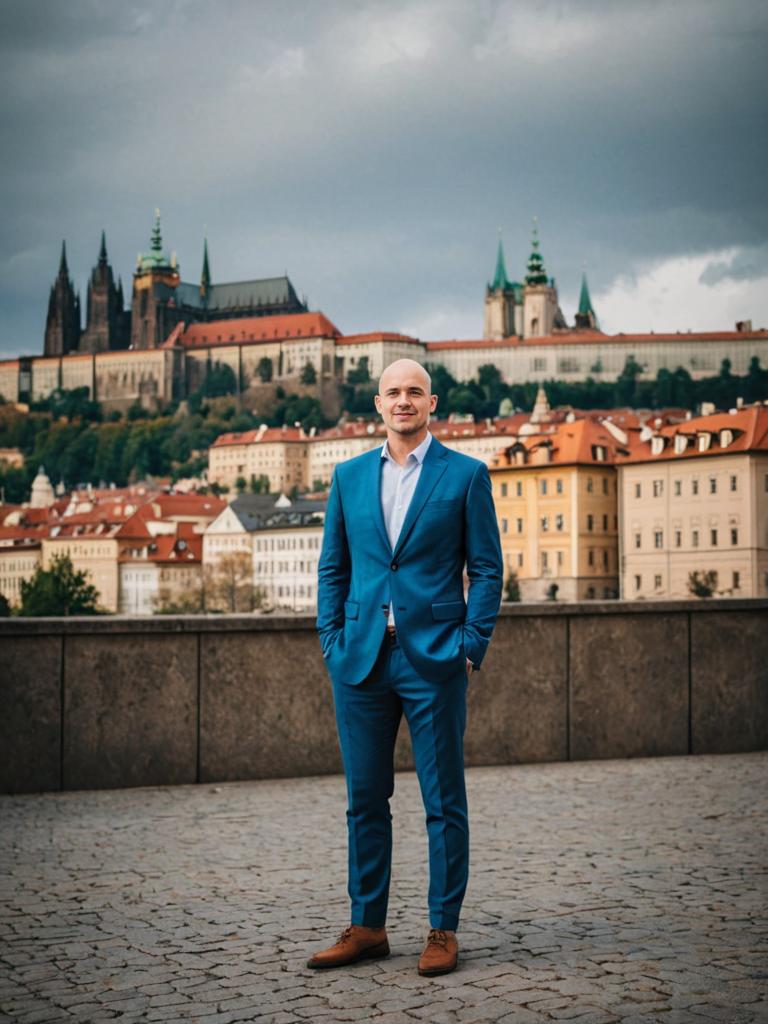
(102, 703)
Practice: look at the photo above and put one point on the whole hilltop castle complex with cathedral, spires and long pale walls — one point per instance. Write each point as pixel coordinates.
(176, 333)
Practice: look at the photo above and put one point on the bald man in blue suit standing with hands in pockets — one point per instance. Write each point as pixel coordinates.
(398, 637)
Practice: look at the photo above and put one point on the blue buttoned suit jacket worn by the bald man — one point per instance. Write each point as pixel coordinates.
(451, 522)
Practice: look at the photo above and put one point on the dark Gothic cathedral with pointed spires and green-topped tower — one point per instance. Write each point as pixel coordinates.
(160, 303)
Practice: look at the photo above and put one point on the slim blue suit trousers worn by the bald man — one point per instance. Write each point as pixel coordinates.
(368, 717)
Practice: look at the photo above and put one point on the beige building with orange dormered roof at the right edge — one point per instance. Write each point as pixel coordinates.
(694, 498)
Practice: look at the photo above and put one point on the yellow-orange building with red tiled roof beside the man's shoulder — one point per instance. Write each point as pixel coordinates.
(556, 496)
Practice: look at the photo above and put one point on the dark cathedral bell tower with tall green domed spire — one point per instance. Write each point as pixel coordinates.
(154, 309)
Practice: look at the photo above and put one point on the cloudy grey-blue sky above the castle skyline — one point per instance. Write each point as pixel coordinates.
(373, 149)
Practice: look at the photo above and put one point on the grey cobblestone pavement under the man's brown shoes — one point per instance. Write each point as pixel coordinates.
(630, 891)
